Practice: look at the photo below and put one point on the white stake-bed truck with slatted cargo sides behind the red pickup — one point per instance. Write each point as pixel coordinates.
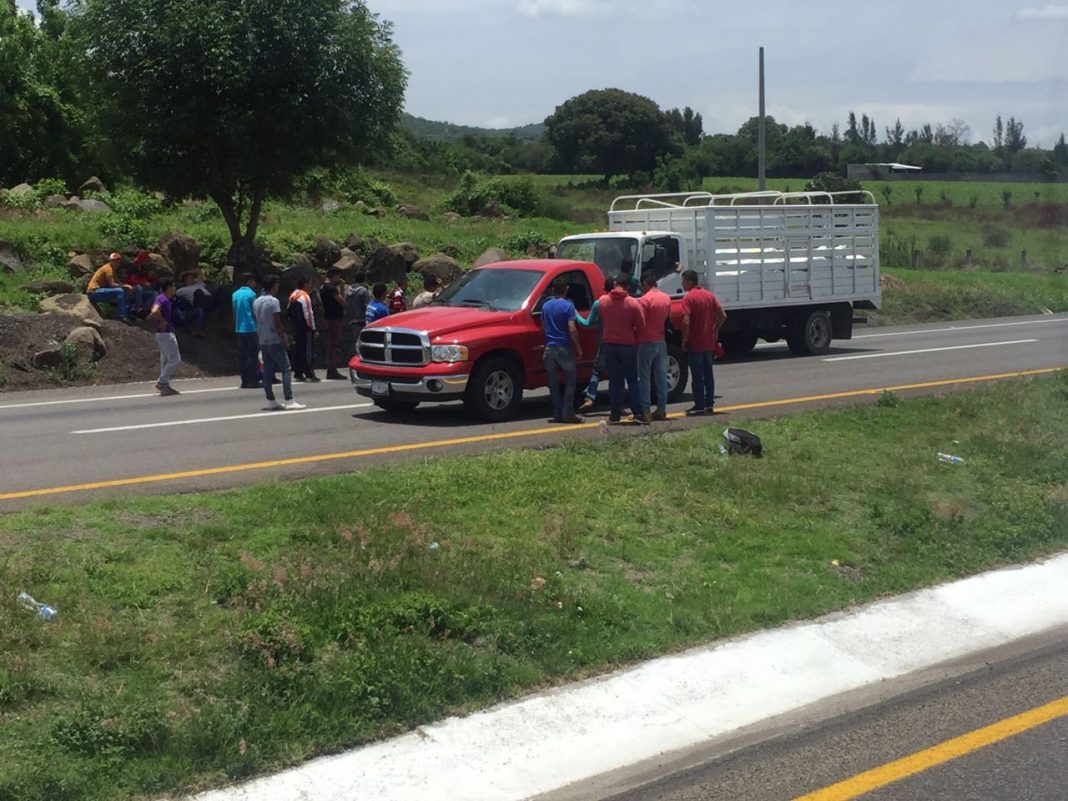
(791, 266)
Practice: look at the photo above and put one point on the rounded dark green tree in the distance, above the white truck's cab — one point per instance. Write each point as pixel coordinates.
(609, 132)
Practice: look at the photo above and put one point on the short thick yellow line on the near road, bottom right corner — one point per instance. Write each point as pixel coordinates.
(873, 780)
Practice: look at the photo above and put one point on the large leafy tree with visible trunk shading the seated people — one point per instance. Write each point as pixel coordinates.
(235, 100)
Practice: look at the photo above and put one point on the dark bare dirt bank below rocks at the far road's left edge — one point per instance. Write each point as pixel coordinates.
(132, 353)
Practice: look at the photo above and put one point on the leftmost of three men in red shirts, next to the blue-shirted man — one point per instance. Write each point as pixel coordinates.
(624, 322)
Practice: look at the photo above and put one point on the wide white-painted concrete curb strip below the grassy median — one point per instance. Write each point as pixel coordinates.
(571, 734)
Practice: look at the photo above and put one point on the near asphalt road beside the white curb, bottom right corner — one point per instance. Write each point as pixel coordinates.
(1000, 733)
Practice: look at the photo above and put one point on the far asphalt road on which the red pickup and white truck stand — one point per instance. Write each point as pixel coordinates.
(71, 444)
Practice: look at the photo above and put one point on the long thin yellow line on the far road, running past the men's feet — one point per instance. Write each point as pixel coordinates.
(481, 438)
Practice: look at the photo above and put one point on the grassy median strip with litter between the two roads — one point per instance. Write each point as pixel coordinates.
(210, 638)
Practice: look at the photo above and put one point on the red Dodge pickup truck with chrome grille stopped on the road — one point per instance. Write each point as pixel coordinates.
(481, 341)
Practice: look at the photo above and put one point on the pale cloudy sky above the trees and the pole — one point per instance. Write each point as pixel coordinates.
(500, 64)
